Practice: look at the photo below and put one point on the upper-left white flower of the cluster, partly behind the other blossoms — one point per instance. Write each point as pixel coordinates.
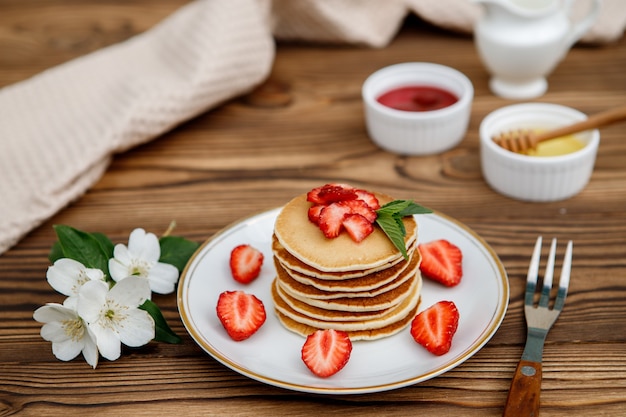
(67, 276)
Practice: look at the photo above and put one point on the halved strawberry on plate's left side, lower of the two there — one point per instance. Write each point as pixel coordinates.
(241, 314)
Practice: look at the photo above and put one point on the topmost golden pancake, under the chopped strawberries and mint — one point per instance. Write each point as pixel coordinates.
(304, 240)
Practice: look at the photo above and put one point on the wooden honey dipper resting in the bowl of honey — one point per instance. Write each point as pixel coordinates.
(521, 140)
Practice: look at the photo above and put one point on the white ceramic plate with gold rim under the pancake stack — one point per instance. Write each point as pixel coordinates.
(272, 355)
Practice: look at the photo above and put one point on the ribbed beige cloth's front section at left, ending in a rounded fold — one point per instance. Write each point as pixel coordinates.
(60, 128)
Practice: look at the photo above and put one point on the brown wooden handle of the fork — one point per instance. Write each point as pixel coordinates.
(523, 399)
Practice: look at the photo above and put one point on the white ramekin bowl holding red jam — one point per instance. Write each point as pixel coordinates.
(417, 133)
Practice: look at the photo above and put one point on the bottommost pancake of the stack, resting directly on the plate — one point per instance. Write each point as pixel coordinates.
(391, 323)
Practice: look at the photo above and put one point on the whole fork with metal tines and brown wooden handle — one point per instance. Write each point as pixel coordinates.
(523, 399)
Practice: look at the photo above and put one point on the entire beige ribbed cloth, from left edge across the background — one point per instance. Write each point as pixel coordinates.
(60, 129)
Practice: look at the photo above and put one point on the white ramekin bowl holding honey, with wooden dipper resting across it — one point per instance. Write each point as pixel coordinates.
(532, 178)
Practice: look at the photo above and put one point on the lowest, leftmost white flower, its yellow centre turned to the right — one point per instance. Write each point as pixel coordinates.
(68, 333)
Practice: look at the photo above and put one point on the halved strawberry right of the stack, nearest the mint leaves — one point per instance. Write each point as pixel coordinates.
(442, 262)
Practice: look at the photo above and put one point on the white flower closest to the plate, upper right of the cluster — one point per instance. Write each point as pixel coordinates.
(141, 258)
